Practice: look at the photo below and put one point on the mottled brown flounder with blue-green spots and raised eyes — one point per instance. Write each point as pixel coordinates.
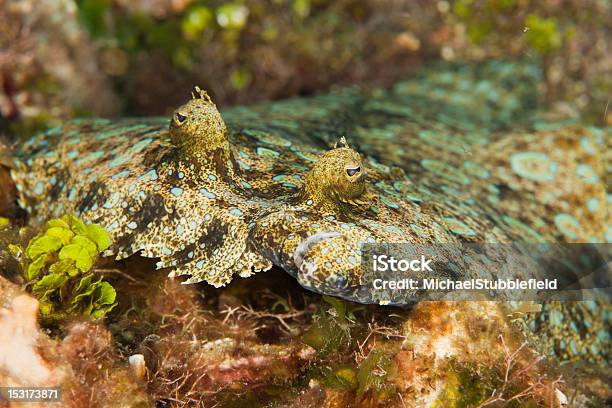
(456, 154)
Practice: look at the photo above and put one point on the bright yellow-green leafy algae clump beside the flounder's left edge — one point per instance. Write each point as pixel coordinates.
(56, 265)
